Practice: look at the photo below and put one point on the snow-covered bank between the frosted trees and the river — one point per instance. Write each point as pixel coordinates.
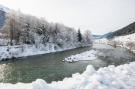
(7, 52)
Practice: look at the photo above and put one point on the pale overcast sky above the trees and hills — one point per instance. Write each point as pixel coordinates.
(99, 16)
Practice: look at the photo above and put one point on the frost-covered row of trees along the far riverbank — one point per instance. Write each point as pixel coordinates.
(26, 29)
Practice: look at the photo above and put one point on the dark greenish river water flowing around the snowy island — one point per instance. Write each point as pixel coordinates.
(51, 68)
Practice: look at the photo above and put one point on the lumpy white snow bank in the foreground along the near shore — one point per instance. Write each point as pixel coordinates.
(111, 77)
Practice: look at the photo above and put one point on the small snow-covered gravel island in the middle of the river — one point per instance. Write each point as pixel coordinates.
(88, 55)
